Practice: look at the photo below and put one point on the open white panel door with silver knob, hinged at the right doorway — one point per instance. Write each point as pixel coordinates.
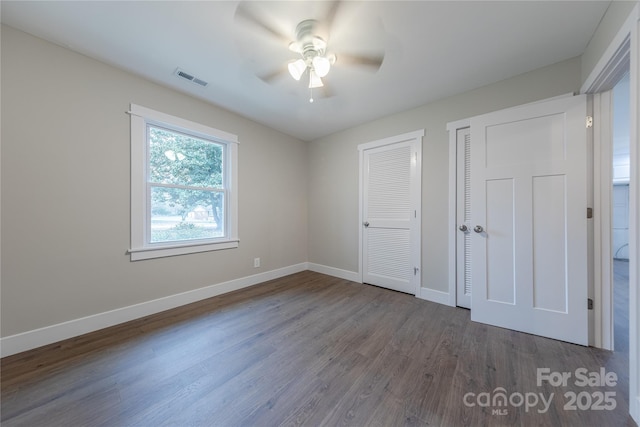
(529, 227)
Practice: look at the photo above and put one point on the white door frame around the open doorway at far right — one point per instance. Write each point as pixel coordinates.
(623, 50)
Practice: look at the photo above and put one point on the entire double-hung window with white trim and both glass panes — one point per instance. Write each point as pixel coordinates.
(183, 186)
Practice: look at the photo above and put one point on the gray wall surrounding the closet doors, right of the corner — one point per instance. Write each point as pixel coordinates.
(333, 168)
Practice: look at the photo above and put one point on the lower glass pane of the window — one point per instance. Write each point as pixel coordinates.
(178, 214)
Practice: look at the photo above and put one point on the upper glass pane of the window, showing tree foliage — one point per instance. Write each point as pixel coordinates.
(175, 158)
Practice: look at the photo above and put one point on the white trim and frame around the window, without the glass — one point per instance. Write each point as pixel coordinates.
(140, 249)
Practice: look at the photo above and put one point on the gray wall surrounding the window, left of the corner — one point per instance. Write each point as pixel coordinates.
(65, 190)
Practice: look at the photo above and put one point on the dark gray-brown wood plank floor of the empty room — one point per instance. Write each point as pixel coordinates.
(306, 349)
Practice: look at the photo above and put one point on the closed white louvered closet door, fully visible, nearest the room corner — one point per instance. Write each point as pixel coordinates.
(387, 214)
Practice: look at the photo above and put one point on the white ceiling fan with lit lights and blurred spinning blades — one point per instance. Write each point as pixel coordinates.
(314, 59)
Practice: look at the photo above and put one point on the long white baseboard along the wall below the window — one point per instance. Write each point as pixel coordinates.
(36, 338)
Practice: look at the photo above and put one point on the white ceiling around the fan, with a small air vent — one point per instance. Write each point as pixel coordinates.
(433, 49)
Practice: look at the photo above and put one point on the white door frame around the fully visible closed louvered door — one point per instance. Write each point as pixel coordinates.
(416, 200)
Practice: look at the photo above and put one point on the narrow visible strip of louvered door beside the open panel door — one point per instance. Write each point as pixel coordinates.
(463, 214)
